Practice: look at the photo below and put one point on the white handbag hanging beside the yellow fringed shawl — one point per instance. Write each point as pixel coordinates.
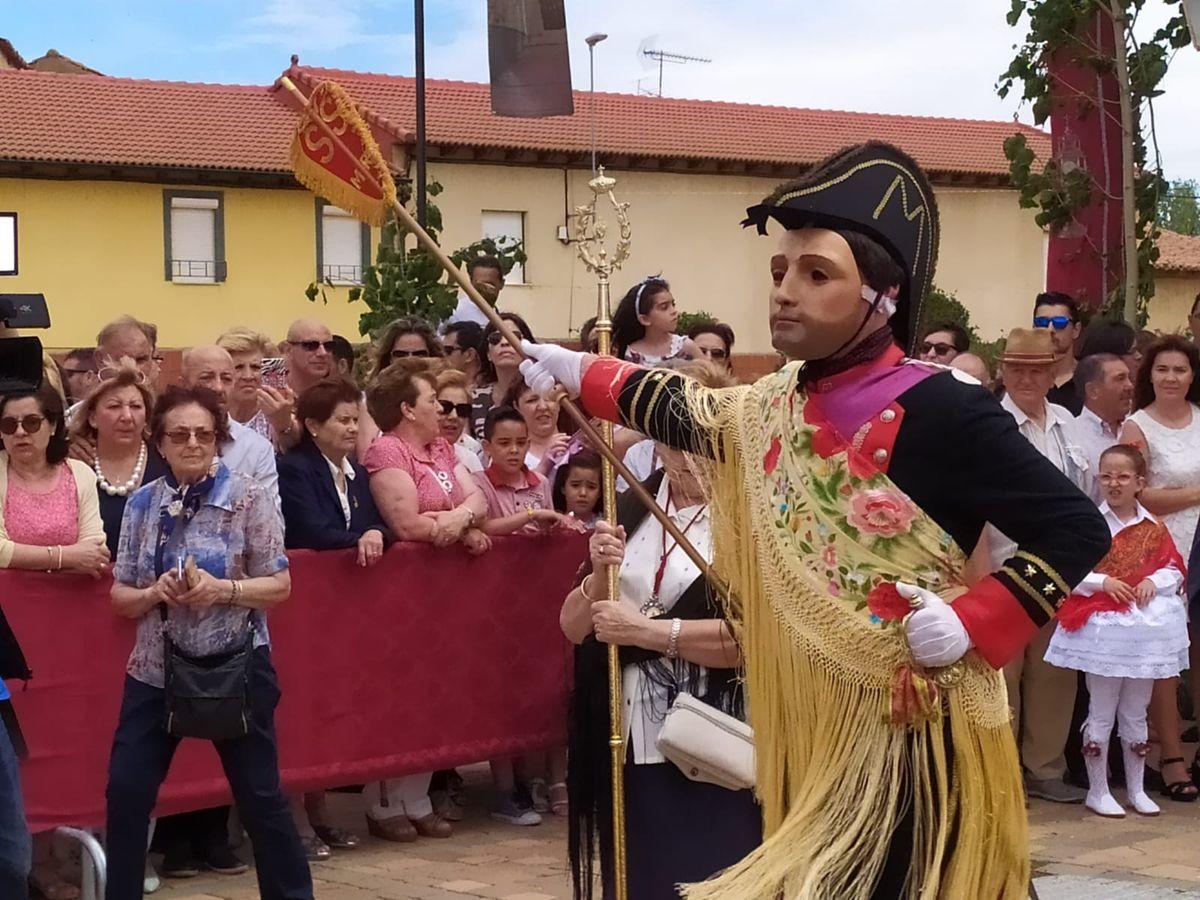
(707, 745)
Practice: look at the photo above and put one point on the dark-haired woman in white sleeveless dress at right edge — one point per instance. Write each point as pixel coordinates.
(1167, 429)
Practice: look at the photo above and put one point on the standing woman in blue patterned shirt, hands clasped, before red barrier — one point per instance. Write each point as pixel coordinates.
(201, 562)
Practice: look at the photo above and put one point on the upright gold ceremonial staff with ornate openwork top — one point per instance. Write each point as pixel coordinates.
(595, 255)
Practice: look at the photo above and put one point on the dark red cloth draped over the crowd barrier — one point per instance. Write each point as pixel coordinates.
(428, 661)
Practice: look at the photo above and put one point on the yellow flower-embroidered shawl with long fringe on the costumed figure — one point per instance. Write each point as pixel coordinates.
(836, 778)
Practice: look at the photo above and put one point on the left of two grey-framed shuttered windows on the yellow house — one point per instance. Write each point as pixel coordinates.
(195, 237)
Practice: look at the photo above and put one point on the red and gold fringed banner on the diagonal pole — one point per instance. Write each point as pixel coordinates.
(331, 171)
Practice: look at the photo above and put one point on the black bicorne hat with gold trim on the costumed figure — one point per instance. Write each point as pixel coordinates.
(877, 190)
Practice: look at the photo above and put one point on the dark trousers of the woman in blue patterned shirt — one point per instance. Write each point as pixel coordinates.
(142, 755)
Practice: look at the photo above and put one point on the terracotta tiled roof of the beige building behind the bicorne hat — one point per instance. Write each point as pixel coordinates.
(459, 113)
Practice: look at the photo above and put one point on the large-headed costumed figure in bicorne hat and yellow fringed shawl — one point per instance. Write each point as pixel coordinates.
(845, 490)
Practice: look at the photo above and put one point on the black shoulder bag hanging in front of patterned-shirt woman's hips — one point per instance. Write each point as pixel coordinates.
(208, 698)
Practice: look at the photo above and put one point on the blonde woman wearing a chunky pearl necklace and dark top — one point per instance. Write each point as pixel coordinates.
(113, 418)
